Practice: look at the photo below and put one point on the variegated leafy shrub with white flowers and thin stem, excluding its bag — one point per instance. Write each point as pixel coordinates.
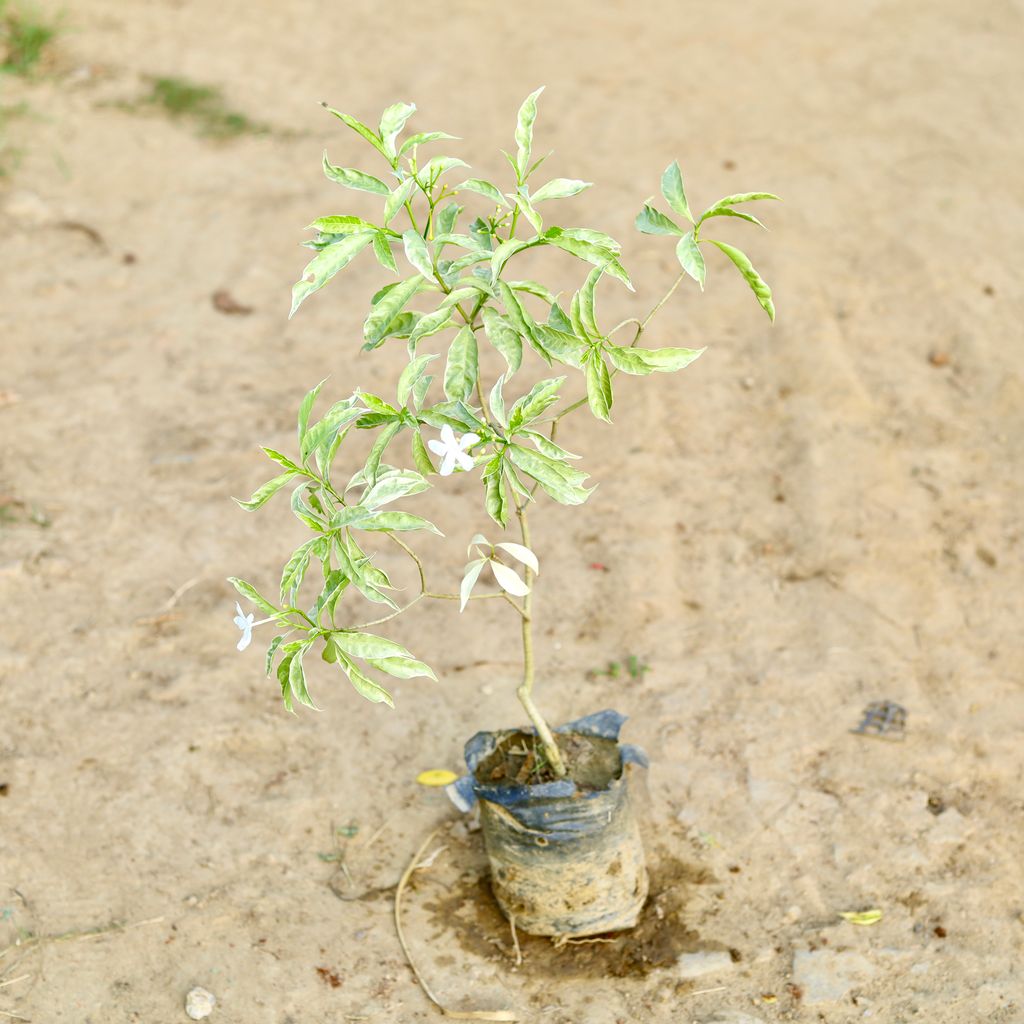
(461, 282)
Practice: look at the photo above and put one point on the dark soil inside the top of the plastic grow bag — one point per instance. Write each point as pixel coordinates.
(592, 762)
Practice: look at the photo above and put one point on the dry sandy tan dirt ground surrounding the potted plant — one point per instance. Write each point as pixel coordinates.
(816, 516)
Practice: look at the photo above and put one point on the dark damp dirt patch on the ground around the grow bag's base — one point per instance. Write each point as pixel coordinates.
(470, 911)
